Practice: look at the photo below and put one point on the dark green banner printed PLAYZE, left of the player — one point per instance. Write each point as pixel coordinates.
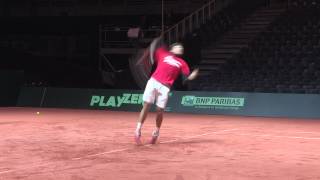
(122, 100)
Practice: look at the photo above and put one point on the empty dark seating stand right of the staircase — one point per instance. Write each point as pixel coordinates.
(283, 59)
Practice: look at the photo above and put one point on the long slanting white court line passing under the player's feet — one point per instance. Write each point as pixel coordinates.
(115, 151)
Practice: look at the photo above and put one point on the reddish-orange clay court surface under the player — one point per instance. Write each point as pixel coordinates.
(87, 144)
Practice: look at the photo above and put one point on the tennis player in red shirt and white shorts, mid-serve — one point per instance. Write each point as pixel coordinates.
(169, 65)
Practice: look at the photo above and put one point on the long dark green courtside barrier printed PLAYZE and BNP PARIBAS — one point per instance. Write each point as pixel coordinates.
(223, 103)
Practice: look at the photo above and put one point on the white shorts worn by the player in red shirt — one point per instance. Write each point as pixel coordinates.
(155, 91)
